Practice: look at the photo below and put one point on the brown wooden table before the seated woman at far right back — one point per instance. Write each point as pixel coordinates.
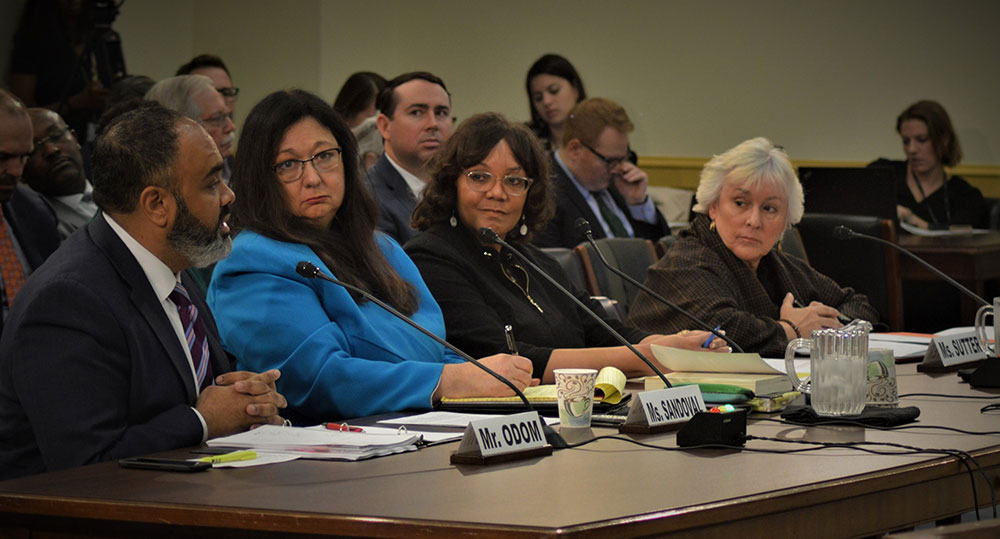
(971, 259)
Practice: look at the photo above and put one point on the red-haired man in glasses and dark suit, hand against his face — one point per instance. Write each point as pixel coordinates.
(594, 179)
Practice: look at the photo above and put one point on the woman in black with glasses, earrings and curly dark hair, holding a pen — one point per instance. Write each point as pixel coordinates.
(493, 174)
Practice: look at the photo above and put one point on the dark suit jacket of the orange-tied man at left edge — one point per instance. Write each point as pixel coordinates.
(35, 226)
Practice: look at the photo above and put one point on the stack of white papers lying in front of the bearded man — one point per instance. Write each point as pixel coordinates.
(310, 443)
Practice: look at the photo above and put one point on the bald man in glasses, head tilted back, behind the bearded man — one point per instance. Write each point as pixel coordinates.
(55, 171)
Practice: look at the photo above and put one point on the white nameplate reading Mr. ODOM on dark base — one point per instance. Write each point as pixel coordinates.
(502, 435)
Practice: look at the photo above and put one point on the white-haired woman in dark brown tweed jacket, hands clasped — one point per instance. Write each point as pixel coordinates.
(728, 268)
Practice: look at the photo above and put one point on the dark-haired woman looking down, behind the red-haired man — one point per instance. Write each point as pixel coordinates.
(554, 88)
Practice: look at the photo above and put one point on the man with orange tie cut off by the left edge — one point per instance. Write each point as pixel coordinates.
(27, 225)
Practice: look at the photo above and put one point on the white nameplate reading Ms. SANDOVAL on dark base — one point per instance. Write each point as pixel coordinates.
(662, 410)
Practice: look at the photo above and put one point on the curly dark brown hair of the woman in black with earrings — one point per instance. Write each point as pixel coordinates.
(468, 146)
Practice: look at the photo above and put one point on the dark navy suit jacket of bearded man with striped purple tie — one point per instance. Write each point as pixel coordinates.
(90, 367)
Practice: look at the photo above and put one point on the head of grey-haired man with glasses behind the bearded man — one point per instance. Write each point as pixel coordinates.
(196, 97)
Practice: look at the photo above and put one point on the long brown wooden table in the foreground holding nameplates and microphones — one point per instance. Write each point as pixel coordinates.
(608, 487)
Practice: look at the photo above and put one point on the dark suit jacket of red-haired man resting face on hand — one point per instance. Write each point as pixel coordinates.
(570, 206)
